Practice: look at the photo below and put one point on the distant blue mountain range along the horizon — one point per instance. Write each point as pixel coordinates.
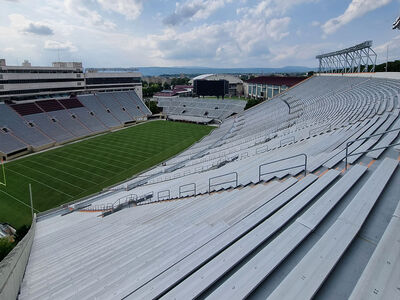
(157, 71)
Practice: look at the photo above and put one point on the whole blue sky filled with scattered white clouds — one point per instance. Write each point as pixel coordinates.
(213, 33)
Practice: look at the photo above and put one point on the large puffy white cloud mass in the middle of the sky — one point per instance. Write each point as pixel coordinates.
(227, 43)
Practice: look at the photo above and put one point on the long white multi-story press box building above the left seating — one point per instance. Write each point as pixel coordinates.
(62, 78)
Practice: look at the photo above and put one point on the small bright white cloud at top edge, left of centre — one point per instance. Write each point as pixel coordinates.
(131, 9)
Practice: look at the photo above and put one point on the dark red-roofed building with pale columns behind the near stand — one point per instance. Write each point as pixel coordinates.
(266, 87)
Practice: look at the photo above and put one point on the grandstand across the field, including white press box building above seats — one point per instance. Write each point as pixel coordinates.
(41, 107)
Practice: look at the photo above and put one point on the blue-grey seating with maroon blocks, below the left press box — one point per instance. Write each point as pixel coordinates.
(41, 124)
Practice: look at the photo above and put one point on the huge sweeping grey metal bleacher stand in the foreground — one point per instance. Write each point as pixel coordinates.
(262, 208)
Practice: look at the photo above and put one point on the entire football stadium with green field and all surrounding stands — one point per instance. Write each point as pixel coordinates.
(296, 197)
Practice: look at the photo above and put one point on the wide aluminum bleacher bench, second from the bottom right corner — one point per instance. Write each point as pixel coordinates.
(309, 274)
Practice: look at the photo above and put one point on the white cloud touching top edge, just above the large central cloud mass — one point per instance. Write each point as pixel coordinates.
(193, 10)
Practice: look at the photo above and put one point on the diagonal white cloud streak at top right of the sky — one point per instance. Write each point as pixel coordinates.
(356, 9)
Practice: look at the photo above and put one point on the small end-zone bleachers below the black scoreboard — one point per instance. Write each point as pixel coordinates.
(201, 110)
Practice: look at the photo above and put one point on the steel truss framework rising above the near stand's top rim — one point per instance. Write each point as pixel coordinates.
(355, 59)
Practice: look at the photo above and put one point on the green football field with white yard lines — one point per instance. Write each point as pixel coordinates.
(76, 170)
